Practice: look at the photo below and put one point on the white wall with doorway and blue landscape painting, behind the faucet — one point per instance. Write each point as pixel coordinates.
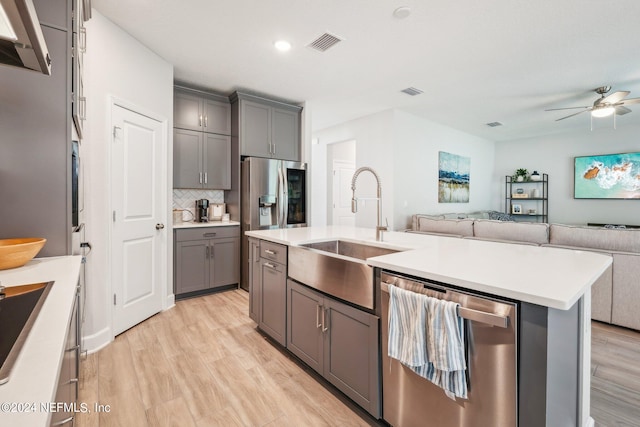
(403, 149)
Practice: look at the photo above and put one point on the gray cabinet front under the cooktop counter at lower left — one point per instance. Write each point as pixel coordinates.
(68, 384)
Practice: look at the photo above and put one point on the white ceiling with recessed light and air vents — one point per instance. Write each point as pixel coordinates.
(476, 61)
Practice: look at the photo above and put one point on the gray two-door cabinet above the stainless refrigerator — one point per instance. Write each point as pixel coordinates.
(266, 128)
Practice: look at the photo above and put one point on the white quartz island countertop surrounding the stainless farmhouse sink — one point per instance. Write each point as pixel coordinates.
(551, 277)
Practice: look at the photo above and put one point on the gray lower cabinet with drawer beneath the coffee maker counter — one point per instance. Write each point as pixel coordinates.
(206, 258)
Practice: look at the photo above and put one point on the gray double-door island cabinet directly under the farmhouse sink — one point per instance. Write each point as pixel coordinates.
(338, 341)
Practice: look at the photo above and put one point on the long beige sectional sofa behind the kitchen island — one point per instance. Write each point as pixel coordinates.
(615, 296)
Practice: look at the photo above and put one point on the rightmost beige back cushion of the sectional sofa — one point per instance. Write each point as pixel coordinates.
(623, 240)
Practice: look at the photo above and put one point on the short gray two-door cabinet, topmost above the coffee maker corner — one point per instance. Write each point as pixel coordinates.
(202, 112)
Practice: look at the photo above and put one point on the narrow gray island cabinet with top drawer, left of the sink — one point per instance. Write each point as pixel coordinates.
(272, 291)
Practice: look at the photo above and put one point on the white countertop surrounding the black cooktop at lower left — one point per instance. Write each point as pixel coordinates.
(34, 377)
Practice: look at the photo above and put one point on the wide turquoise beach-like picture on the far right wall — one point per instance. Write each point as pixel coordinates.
(610, 176)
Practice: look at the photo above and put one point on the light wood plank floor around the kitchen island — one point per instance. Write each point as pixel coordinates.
(203, 363)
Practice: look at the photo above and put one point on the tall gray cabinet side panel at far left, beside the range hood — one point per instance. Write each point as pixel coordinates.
(35, 129)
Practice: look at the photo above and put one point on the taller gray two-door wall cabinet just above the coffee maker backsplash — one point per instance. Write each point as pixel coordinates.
(201, 160)
